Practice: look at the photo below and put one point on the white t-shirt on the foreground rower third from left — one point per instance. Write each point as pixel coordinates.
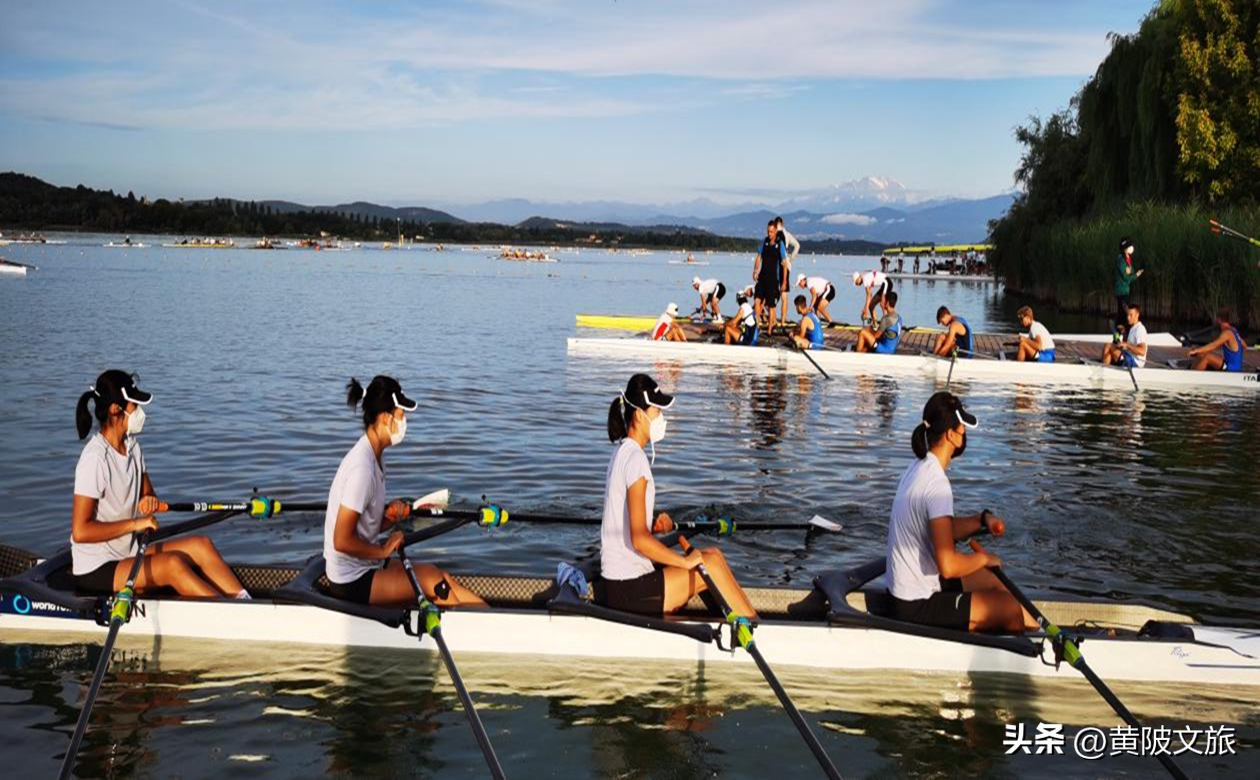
(619, 560)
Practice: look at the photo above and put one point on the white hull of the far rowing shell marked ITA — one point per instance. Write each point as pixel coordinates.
(1009, 372)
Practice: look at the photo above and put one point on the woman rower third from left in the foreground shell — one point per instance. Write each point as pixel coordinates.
(638, 573)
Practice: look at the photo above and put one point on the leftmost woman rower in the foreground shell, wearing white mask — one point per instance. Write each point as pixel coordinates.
(115, 501)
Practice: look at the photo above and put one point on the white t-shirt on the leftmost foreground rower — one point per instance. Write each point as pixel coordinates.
(114, 481)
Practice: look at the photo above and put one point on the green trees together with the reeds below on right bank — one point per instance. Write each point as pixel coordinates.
(1165, 137)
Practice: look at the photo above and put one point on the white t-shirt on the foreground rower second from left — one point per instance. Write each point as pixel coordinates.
(360, 486)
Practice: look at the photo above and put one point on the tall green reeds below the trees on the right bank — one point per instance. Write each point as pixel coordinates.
(1190, 273)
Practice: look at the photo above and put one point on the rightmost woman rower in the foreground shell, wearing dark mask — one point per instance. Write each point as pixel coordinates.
(929, 580)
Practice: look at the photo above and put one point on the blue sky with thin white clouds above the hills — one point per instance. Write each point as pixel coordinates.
(444, 104)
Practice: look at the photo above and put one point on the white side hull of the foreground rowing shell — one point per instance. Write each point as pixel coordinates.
(783, 643)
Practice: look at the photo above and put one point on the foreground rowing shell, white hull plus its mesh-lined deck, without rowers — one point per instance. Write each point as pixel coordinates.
(839, 624)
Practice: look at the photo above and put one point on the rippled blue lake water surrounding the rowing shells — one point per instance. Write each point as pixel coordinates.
(1113, 495)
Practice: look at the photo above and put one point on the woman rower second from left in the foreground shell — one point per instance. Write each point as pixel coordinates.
(360, 569)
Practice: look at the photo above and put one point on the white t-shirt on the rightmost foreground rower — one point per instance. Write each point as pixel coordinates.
(923, 495)
